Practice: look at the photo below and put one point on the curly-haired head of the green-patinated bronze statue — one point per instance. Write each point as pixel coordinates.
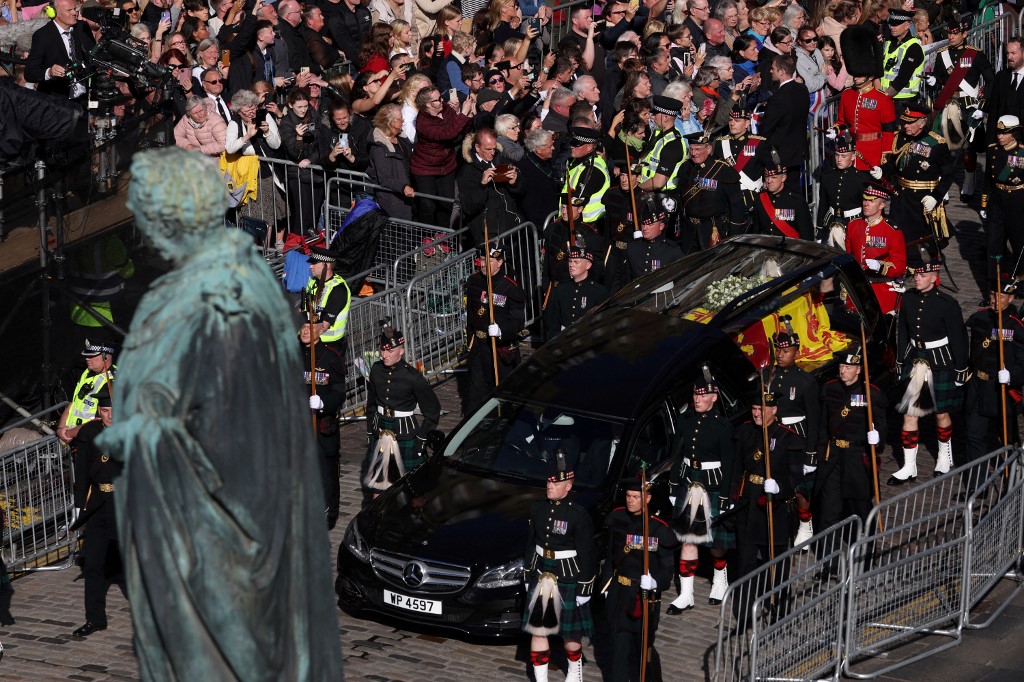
(179, 199)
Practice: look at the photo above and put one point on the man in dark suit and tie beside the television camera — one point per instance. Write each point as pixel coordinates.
(55, 48)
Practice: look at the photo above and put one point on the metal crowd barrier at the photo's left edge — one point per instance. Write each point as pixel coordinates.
(37, 501)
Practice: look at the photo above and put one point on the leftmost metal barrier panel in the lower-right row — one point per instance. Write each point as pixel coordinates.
(785, 620)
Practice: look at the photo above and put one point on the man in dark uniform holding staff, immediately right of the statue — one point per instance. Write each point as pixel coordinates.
(326, 383)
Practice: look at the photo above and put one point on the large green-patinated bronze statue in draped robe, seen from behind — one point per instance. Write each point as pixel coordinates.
(221, 506)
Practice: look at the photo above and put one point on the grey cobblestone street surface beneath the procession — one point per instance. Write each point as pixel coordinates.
(49, 606)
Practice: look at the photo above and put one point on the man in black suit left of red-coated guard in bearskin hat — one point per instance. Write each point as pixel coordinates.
(785, 123)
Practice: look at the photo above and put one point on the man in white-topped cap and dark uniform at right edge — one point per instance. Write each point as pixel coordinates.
(1003, 206)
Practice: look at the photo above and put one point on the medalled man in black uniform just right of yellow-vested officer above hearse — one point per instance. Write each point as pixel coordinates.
(711, 197)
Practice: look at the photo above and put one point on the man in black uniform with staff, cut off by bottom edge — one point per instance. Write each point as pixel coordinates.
(629, 589)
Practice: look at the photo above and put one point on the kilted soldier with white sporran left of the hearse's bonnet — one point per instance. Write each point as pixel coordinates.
(394, 391)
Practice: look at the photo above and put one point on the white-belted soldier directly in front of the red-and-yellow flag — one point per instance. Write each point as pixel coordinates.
(796, 396)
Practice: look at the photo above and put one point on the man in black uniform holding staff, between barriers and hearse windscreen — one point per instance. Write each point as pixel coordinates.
(509, 305)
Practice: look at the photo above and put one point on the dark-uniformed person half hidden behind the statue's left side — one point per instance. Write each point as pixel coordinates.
(96, 473)
